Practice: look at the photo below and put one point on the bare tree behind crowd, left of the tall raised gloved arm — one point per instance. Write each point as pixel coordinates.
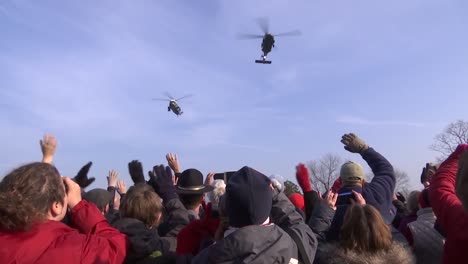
(324, 172)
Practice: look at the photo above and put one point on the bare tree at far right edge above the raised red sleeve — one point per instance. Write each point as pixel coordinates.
(454, 134)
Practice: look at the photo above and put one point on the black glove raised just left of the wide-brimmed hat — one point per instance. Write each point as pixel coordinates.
(161, 181)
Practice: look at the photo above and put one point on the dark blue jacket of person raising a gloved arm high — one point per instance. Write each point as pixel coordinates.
(378, 193)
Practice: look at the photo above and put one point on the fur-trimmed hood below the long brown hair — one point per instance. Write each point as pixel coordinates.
(332, 254)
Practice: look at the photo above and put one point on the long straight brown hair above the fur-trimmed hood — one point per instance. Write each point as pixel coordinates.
(364, 230)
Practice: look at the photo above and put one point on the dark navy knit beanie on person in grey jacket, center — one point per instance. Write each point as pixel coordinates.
(248, 198)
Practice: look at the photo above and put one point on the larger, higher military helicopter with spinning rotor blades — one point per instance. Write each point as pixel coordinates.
(268, 41)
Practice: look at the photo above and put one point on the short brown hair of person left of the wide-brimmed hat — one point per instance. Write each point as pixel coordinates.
(142, 203)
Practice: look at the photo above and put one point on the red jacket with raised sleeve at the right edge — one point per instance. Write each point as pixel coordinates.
(448, 208)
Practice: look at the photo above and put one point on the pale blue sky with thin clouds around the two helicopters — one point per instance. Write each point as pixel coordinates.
(394, 72)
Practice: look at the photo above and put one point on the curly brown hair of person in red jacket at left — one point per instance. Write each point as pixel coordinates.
(27, 193)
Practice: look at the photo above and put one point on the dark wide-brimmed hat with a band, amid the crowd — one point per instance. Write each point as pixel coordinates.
(191, 182)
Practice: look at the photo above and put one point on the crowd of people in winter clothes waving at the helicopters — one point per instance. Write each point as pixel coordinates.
(177, 216)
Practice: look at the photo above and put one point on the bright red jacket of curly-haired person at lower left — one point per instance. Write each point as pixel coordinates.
(54, 242)
